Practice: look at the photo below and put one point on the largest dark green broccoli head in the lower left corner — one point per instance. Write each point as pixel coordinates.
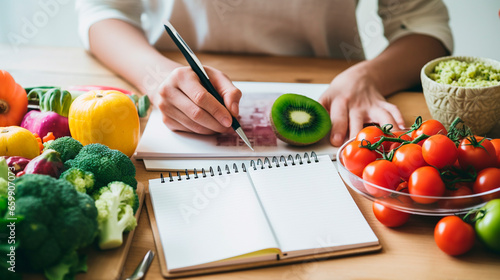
(57, 220)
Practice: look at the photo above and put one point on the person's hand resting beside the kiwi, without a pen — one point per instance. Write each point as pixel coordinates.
(352, 100)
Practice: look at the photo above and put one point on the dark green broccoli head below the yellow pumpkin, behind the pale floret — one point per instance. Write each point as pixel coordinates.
(106, 164)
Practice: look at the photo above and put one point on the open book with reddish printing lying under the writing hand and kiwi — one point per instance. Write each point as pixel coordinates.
(163, 149)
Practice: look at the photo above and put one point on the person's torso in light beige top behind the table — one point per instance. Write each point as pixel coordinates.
(324, 28)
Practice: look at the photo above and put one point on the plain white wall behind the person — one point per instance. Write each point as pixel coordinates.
(475, 25)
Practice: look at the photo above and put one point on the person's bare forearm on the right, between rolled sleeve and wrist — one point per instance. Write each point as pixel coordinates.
(398, 66)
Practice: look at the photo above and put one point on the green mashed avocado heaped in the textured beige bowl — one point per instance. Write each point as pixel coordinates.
(465, 74)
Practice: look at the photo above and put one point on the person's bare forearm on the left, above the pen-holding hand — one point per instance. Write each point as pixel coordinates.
(124, 49)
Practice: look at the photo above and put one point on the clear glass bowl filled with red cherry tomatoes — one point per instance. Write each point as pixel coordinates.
(427, 170)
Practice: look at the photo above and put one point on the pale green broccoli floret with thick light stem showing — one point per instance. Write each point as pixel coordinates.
(115, 207)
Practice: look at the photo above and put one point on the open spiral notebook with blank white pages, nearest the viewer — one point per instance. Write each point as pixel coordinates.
(274, 210)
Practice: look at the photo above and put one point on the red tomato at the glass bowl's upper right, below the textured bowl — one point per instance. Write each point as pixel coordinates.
(478, 157)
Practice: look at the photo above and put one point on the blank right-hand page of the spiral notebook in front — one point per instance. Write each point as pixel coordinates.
(310, 208)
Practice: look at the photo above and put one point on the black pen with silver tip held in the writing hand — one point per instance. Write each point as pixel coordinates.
(197, 67)
